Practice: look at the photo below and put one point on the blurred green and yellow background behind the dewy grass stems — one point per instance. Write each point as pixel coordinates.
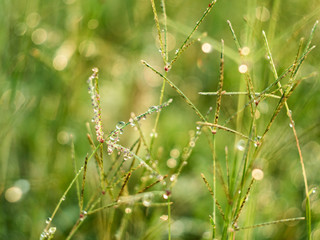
(48, 49)
